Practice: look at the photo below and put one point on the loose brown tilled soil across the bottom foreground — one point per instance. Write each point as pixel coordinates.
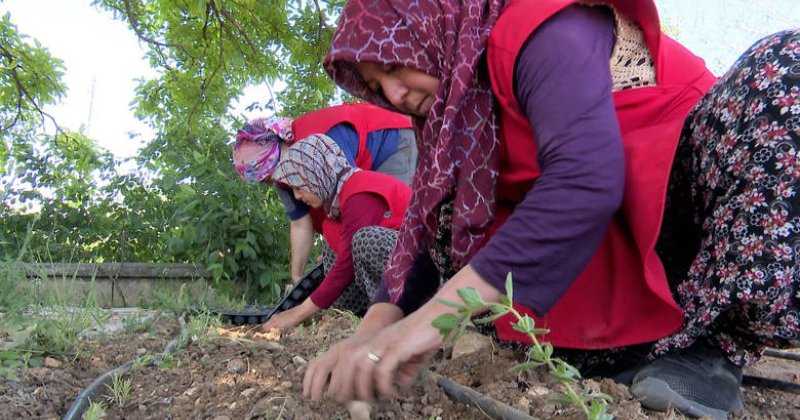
(244, 374)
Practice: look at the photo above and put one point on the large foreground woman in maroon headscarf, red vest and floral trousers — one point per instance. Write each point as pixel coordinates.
(645, 209)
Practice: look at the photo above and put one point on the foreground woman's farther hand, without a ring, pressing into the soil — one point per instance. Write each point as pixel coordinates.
(327, 366)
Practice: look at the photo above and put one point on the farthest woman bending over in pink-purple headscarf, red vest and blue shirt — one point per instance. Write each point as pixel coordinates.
(371, 138)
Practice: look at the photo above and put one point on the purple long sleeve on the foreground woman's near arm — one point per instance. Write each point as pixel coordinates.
(563, 83)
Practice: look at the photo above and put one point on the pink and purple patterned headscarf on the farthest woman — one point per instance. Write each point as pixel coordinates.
(257, 149)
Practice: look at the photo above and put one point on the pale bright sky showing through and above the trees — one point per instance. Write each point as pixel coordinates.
(103, 58)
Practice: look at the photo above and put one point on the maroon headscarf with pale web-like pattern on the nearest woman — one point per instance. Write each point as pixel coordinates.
(458, 141)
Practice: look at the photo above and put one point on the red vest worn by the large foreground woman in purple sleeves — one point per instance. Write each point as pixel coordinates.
(622, 296)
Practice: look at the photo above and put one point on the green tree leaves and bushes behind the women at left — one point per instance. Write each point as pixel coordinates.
(179, 200)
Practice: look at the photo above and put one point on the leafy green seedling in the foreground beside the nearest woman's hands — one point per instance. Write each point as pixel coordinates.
(593, 404)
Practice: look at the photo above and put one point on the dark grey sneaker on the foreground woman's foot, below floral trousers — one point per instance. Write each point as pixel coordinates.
(698, 382)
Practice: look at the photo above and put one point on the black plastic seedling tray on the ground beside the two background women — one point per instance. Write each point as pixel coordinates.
(259, 314)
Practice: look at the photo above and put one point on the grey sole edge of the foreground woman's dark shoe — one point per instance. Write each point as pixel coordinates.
(655, 394)
